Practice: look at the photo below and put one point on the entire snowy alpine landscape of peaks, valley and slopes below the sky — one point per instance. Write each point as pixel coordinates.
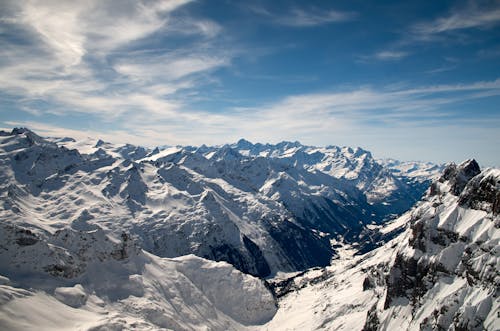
(242, 236)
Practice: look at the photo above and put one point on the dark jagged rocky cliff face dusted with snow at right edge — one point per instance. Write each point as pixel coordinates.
(450, 261)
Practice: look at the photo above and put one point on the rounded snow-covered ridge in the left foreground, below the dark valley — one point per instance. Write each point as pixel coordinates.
(85, 280)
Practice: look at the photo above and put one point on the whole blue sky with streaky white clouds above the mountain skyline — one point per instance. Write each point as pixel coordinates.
(404, 79)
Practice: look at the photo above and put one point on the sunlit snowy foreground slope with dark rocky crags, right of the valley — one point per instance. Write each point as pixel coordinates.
(442, 273)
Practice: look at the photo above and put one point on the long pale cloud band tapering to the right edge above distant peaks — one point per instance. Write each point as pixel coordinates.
(336, 113)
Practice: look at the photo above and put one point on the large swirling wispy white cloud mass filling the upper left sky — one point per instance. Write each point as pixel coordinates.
(81, 57)
